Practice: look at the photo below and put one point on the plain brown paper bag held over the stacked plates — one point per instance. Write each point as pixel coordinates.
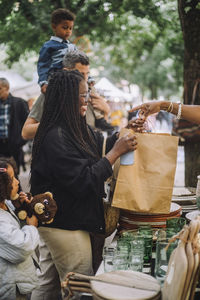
(146, 186)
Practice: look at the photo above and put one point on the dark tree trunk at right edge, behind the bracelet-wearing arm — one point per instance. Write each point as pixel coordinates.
(189, 14)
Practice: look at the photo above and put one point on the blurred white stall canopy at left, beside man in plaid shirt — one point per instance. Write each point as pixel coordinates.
(20, 87)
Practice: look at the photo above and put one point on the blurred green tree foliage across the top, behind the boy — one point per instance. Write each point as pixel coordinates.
(130, 39)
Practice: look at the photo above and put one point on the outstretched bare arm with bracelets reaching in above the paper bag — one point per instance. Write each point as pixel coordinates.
(188, 112)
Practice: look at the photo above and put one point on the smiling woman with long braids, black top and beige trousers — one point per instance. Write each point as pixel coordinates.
(67, 161)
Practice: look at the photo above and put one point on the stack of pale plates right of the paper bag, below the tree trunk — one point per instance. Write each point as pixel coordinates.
(185, 198)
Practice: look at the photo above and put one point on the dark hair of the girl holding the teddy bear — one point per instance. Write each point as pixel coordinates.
(5, 181)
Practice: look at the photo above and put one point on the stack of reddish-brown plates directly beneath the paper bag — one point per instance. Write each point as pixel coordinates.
(131, 220)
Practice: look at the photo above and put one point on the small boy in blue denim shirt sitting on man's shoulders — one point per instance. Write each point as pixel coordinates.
(53, 51)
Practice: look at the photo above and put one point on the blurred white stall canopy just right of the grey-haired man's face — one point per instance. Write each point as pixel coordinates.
(111, 92)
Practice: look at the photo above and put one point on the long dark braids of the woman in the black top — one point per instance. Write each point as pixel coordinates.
(61, 107)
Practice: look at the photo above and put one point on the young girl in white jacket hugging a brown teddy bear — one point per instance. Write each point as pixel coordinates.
(17, 272)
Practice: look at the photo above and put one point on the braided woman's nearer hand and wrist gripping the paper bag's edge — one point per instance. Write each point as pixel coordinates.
(123, 145)
